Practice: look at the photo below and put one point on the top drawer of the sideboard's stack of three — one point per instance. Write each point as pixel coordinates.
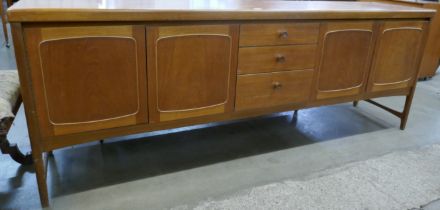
(278, 34)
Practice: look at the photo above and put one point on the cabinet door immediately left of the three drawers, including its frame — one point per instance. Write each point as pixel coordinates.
(191, 70)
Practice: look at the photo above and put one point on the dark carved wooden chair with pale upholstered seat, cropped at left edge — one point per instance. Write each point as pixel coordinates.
(10, 100)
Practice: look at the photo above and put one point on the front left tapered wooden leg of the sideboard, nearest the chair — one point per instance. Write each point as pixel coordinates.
(40, 171)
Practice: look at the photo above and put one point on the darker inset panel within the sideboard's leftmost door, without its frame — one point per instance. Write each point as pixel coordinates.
(68, 82)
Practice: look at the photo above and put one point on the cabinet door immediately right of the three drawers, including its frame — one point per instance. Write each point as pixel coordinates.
(345, 58)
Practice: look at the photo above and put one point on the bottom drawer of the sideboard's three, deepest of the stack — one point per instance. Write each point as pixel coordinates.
(272, 89)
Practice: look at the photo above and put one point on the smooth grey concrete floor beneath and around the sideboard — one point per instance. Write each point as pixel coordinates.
(159, 170)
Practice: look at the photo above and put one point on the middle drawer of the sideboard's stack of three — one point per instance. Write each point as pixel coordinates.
(275, 58)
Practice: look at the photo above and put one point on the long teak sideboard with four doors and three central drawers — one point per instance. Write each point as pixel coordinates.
(91, 70)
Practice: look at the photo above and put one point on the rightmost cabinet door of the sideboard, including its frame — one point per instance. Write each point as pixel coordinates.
(397, 58)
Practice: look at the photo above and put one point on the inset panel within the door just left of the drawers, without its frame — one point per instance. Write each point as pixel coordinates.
(176, 75)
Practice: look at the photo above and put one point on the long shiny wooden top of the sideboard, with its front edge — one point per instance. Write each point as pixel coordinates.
(187, 10)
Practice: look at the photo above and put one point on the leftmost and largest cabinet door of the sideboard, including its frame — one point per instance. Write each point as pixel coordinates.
(88, 78)
